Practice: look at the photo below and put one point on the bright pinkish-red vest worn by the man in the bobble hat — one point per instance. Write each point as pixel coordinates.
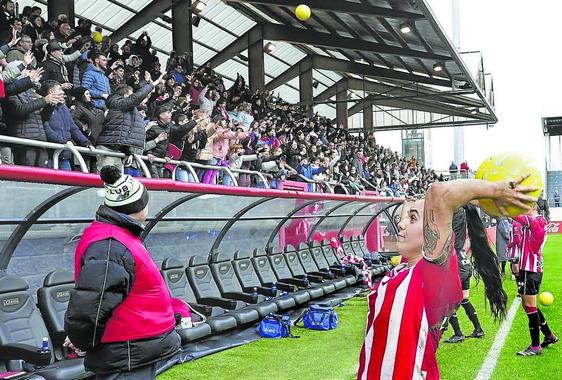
(147, 309)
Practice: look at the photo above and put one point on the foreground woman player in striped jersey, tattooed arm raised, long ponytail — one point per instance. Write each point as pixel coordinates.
(408, 307)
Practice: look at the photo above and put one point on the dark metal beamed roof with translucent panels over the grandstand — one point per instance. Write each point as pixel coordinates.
(358, 44)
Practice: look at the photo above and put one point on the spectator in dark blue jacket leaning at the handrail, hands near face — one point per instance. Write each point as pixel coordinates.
(59, 125)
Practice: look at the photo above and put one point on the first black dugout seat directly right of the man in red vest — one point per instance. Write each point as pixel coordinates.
(176, 278)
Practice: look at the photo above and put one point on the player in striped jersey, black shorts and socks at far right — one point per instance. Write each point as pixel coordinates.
(529, 270)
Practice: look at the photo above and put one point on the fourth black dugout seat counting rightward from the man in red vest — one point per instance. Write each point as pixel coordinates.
(249, 280)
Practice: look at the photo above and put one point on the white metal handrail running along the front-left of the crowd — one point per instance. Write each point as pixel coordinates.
(77, 151)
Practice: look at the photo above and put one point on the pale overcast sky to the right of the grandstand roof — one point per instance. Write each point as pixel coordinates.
(517, 39)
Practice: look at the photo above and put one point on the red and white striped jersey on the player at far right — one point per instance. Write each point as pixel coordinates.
(533, 240)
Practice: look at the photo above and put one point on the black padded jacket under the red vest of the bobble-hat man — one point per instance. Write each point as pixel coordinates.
(94, 289)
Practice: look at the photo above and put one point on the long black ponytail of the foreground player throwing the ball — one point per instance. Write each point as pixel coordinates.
(486, 263)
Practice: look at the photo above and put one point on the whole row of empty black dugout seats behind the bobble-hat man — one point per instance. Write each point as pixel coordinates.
(228, 291)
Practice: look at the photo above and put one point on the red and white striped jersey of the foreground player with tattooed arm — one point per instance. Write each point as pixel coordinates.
(406, 312)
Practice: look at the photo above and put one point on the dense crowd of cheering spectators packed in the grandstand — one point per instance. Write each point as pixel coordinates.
(66, 83)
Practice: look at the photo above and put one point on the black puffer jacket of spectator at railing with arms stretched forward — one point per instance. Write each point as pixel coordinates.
(124, 125)
